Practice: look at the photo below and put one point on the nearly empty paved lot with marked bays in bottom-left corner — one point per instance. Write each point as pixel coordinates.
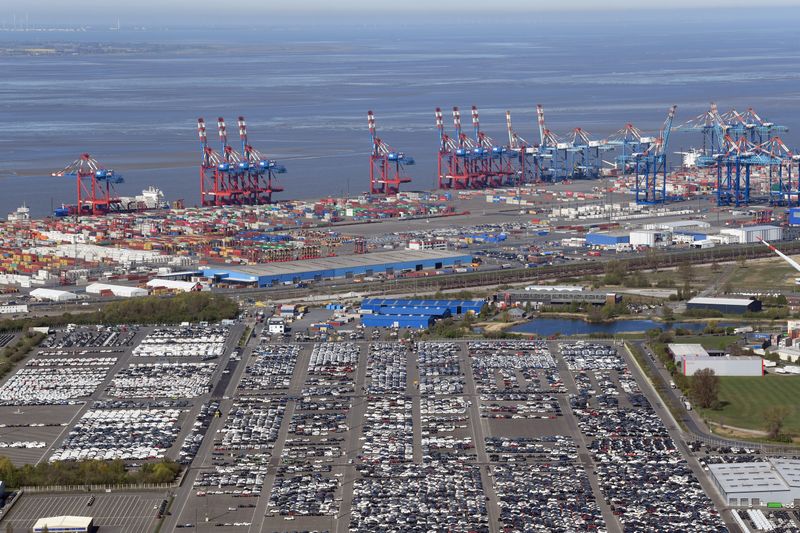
(113, 513)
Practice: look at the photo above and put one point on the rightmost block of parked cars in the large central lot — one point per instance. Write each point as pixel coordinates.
(643, 476)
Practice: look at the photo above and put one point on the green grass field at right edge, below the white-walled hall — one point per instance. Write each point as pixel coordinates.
(747, 398)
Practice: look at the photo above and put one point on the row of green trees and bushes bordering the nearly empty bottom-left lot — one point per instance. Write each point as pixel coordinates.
(90, 472)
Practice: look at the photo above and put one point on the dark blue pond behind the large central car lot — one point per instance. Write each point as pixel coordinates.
(565, 326)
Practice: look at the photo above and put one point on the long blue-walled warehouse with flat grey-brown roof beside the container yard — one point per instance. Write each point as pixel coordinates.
(270, 274)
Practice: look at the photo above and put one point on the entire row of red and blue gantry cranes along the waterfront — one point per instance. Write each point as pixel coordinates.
(734, 148)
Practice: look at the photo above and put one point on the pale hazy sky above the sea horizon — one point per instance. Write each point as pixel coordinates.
(215, 12)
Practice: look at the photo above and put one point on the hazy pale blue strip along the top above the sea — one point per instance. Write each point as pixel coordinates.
(249, 12)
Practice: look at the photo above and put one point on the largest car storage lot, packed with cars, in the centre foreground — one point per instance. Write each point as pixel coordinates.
(482, 436)
